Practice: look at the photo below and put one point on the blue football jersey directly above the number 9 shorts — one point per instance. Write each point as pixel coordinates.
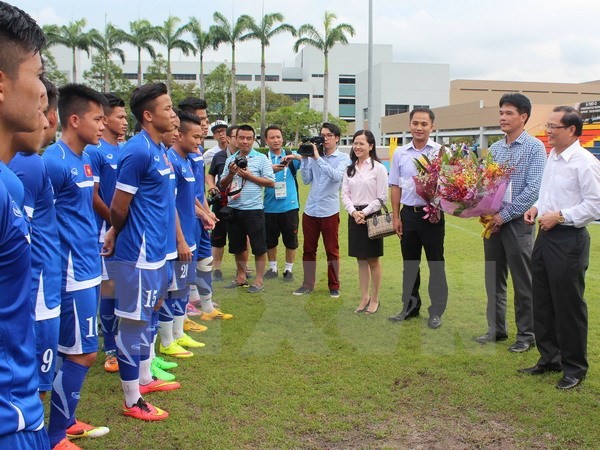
(45, 241)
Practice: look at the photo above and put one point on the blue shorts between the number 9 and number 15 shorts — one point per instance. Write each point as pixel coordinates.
(79, 322)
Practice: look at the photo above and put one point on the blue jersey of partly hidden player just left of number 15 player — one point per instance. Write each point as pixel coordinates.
(104, 157)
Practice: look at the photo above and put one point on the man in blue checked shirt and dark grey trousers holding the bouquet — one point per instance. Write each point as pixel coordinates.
(511, 244)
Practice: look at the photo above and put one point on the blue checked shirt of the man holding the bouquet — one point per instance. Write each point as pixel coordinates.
(527, 156)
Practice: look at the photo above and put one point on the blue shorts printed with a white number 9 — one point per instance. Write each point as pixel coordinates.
(46, 344)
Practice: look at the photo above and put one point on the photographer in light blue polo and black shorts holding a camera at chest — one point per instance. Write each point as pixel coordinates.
(245, 175)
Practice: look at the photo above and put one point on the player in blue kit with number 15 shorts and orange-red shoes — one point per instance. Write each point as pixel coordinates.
(139, 222)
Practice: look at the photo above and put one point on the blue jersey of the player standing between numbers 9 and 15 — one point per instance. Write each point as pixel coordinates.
(73, 185)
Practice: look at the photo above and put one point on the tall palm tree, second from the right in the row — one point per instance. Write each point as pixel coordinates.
(263, 32)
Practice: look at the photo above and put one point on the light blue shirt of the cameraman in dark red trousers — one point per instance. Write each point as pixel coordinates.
(325, 175)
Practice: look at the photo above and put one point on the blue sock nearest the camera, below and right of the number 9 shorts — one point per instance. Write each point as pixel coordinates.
(65, 397)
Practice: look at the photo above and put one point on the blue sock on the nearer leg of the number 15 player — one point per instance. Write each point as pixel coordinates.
(129, 340)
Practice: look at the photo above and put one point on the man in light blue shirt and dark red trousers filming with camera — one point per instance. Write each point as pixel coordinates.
(322, 212)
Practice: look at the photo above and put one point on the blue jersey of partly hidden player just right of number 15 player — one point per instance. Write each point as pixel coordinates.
(185, 198)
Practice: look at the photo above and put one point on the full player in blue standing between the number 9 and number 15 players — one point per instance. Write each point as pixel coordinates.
(81, 116)
